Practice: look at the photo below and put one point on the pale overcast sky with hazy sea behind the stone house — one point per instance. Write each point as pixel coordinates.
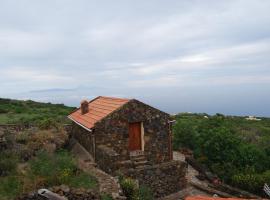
(179, 56)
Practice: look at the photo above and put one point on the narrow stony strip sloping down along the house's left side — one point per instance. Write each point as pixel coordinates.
(107, 183)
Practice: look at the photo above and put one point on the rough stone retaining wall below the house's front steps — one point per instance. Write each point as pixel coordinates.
(163, 179)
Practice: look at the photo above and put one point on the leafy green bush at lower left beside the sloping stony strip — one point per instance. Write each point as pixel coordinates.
(59, 168)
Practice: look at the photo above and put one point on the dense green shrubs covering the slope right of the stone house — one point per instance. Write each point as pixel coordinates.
(235, 149)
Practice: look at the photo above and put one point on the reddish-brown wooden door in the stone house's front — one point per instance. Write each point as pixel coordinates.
(135, 136)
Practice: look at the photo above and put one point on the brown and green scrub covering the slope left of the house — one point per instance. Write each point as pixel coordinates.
(34, 158)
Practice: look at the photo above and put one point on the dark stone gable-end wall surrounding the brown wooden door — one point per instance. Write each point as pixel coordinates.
(112, 131)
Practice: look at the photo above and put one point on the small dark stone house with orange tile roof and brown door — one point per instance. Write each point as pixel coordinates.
(129, 136)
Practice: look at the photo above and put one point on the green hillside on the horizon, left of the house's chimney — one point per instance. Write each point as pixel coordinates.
(31, 112)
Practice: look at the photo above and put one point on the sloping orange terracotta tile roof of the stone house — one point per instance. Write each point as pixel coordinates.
(99, 108)
